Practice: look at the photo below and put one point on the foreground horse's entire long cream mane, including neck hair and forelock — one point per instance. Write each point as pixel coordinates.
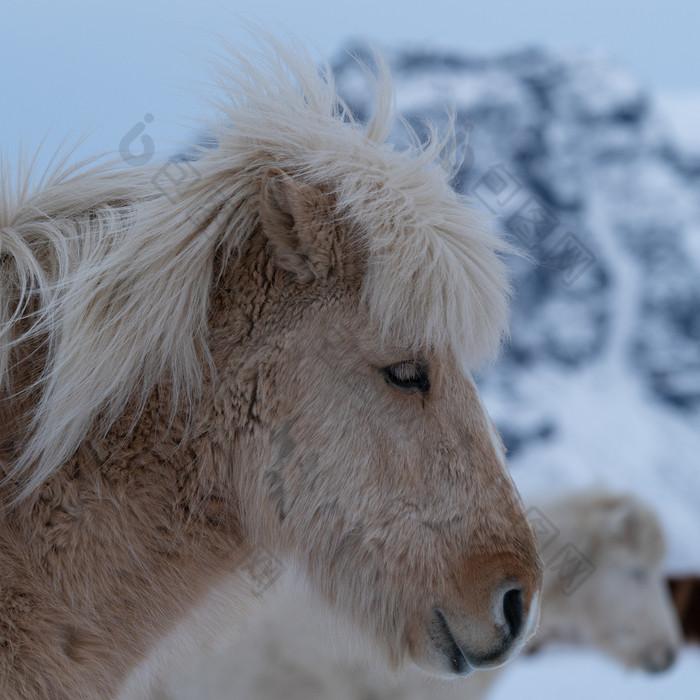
(111, 272)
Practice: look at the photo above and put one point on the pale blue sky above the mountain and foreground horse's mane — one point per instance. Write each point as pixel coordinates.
(72, 65)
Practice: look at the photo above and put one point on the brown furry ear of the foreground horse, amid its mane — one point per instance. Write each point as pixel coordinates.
(294, 220)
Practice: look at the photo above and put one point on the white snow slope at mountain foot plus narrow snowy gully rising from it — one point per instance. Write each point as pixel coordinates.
(610, 430)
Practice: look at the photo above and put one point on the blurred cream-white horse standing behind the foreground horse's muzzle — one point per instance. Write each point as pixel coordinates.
(604, 588)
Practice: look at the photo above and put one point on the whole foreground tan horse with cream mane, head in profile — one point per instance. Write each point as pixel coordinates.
(271, 355)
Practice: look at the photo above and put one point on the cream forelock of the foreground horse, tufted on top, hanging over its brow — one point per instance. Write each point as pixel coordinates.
(434, 276)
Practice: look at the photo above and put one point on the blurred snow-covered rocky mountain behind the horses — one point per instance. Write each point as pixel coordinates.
(601, 380)
